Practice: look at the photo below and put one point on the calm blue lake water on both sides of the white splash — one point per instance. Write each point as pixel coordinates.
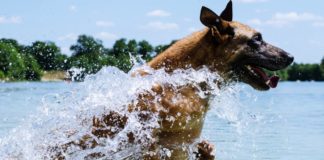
(286, 123)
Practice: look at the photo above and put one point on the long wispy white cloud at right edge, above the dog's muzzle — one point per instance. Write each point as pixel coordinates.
(289, 18)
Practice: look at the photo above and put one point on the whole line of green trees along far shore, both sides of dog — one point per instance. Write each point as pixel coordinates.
(21, 62)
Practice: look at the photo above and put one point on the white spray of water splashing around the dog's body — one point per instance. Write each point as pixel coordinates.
(68, 117)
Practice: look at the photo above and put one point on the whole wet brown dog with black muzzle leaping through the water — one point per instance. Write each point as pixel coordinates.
(233, 50)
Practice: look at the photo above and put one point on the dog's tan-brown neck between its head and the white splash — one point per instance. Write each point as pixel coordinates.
(193, 51)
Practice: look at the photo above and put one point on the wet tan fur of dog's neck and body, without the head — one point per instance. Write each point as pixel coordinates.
(194, 51)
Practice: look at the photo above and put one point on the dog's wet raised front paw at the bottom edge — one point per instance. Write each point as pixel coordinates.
(205, 151)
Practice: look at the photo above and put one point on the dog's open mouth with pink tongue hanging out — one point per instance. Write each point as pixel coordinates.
(260, 74)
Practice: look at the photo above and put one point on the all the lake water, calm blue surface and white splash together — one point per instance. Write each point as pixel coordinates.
(285, 123)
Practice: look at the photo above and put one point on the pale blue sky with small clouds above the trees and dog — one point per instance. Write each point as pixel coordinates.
(294, 25)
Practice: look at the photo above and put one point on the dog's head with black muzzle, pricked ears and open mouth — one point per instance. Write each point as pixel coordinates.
(240, 52)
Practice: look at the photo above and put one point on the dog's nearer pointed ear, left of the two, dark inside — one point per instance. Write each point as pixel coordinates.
(209, 18)
